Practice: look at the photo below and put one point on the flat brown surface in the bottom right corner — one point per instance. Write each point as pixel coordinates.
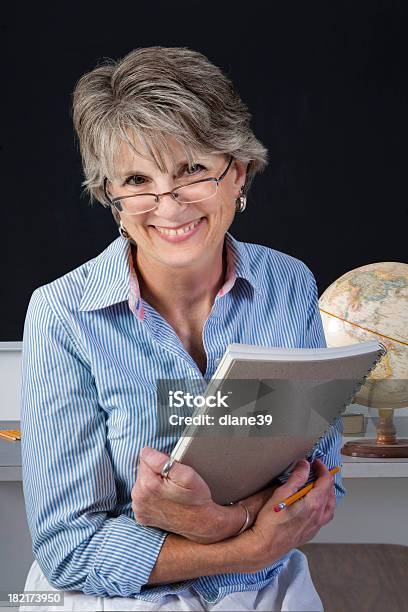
(360, 577)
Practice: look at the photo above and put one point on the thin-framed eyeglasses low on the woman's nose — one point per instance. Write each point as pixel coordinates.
(197, 191)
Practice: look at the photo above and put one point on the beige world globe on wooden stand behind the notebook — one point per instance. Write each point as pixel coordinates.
(367, 303)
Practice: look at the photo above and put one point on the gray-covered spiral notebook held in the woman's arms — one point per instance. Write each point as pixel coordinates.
(300, 391)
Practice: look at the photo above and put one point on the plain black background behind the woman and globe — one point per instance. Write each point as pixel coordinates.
(327, 87)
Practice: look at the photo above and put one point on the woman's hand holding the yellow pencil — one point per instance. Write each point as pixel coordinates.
(275, 533)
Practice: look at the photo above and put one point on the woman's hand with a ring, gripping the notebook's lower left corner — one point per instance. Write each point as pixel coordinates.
(182, 503)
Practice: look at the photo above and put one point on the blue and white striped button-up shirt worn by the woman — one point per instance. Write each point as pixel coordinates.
(89, 370)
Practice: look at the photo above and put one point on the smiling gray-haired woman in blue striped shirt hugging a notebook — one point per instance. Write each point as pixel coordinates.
(166, 144)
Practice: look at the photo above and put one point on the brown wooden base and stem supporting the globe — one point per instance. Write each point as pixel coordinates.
(386, 445)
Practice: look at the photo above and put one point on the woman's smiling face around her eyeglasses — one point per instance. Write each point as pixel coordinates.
(154, 231)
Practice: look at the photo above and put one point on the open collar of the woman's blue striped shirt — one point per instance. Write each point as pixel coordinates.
(112, 279)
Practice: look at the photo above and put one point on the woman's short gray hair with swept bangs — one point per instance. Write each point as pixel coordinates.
(153, 93)
